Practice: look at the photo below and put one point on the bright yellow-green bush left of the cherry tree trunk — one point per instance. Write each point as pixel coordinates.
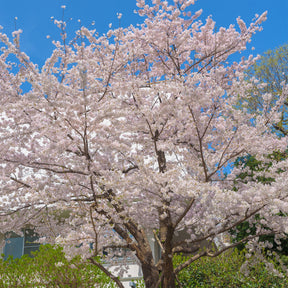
(50, 268)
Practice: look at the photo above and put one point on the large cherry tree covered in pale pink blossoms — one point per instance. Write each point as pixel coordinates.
(129, 134)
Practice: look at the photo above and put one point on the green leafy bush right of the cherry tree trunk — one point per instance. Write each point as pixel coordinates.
(224, 271)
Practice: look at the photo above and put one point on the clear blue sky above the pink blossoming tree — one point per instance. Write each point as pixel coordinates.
(34, 19)
